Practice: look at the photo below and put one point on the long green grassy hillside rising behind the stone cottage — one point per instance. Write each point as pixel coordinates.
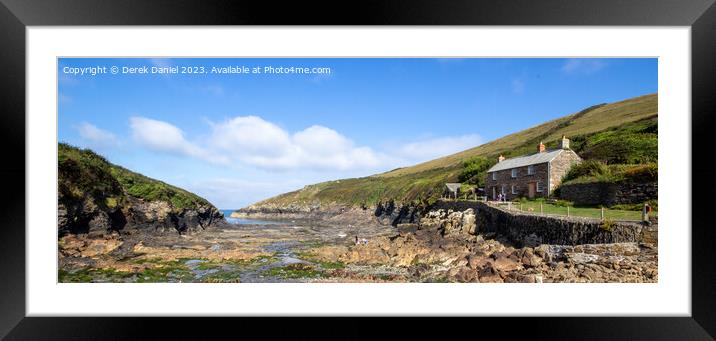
(595, 131)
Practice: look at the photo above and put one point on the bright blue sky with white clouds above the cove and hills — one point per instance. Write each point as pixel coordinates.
(239, 138)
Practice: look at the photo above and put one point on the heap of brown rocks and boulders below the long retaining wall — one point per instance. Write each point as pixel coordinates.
(444, 252)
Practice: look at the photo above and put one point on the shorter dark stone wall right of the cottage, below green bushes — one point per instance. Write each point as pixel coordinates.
(603, 193)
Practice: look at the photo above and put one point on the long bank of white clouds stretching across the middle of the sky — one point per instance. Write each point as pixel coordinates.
(254, 142)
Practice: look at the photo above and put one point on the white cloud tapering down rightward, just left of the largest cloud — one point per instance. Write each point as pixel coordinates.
(165, 137)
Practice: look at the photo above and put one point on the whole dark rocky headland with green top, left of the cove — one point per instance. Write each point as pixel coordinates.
(96, 197)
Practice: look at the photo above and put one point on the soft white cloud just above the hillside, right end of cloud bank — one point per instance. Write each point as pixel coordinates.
(429, 149)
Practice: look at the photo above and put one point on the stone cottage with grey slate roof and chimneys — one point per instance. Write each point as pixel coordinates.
(530, 176)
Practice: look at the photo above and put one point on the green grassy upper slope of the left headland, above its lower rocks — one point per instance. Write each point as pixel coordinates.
(84, 173)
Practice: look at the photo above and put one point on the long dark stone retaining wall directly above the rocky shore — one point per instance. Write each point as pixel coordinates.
(526, 229)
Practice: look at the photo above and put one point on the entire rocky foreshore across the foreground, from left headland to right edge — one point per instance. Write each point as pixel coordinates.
(443, 246)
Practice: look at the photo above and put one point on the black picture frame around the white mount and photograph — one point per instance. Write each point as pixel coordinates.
(16, 15)
